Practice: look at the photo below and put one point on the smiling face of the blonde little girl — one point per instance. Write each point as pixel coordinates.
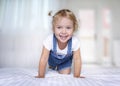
(63, 29)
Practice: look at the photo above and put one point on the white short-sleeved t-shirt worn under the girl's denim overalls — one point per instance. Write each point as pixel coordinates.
(48, 44)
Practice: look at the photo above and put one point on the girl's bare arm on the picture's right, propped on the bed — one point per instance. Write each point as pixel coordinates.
(77, 63)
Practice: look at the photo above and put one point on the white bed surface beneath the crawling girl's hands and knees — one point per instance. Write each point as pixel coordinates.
(95, 76)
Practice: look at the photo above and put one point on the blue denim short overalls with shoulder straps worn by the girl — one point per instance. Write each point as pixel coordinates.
(57, 61)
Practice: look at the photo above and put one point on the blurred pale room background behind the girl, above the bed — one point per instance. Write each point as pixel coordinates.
(24, 24)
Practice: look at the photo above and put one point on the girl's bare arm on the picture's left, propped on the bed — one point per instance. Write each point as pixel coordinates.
(43, 62)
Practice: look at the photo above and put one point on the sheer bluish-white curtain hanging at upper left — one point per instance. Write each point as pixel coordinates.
(23, 15)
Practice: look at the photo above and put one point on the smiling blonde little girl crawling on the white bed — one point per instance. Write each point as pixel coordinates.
(61, 47)
